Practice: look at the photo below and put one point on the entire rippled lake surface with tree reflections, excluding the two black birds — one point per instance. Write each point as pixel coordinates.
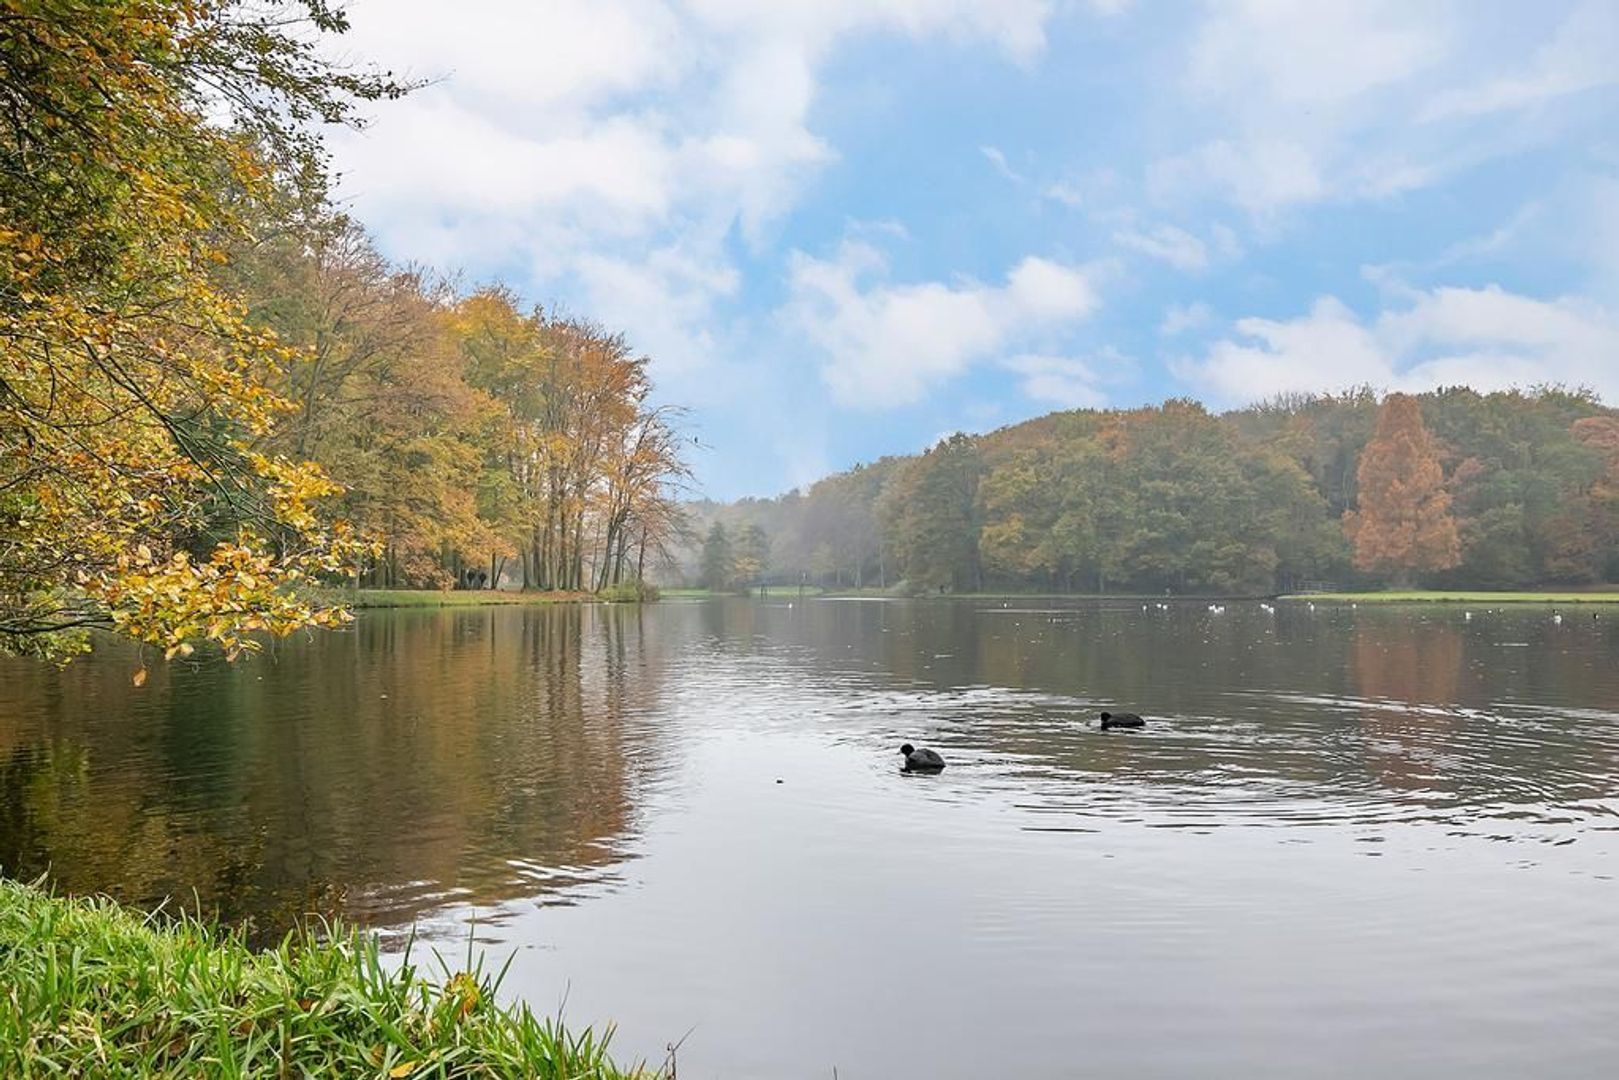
(1375, 841)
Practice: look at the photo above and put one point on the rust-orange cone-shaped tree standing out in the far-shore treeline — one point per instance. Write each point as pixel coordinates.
(1404, 524)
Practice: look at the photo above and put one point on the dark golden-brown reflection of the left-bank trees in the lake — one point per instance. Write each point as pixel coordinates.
(477, 755)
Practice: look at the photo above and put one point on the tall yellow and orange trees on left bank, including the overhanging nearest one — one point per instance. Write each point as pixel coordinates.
(218, 393)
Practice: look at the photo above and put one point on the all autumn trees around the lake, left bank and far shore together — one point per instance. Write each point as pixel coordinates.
(218, 393)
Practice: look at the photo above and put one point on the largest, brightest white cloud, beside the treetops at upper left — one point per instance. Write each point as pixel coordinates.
(577, 137)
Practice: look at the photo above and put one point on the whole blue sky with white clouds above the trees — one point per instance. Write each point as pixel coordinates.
(844, 229)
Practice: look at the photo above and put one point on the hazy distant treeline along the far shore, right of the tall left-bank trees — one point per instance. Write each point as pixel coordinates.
(1450, 488)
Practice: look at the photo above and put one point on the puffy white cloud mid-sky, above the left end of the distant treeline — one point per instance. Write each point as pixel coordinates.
(890, 344)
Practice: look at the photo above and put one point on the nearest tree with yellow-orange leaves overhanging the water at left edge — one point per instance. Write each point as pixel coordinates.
(134, 391)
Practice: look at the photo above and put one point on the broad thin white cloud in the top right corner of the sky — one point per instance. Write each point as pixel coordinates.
(1343, 101)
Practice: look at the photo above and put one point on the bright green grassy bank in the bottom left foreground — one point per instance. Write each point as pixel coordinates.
(95, 990)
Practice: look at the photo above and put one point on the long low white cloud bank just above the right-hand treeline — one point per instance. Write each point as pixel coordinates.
(1479, 338)
